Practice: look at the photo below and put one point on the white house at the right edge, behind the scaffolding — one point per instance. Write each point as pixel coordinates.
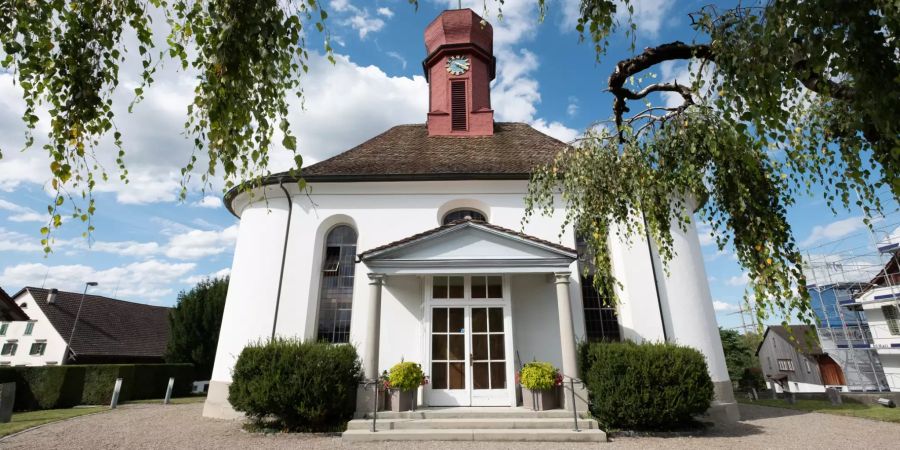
(881, 305)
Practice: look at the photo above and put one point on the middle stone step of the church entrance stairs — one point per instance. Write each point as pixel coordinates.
(505, 423)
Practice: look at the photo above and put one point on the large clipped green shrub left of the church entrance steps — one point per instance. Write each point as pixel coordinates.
(302, 386)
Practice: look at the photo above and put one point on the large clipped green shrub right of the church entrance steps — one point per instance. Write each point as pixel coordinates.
(645, 386)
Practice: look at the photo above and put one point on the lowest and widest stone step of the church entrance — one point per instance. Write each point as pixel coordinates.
(517, 435)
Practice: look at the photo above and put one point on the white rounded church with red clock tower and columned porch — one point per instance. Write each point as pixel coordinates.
(411, 246)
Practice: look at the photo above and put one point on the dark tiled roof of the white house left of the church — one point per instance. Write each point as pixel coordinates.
(107, 328)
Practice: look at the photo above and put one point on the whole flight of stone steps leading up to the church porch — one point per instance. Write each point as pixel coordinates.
(475, 424)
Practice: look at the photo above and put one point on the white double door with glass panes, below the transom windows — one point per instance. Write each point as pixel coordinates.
(470, 350)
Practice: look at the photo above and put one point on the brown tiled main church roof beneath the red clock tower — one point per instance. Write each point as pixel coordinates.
(406, 152)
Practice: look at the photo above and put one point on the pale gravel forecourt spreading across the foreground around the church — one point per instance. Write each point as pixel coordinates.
(182, 427)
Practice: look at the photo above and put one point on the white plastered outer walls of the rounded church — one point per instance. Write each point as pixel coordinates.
(384, 212)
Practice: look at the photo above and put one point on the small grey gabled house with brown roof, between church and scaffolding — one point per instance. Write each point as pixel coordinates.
(793, 361)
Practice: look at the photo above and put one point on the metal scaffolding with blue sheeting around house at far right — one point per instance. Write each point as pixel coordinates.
(839, 273)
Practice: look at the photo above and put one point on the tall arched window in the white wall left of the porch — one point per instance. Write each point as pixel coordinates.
(336, 292)
